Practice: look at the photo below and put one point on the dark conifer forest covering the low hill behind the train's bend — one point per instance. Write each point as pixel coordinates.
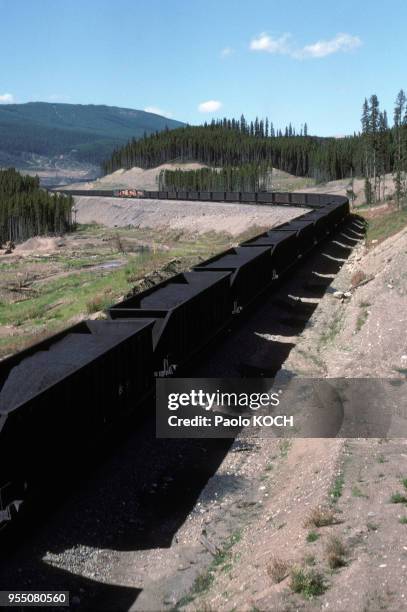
(231, 143)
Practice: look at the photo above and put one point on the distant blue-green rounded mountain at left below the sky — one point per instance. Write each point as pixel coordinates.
(44, 135)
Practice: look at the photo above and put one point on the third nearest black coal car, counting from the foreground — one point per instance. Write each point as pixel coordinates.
(250, 269)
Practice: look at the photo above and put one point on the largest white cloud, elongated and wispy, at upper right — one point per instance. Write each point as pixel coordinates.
(322, 48)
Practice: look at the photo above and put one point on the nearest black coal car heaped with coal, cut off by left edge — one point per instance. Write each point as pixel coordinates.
(59, 395)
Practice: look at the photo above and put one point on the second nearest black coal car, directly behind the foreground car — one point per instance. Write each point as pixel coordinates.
(188, 310)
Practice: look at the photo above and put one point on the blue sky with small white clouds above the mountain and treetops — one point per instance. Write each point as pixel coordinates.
(291, 60)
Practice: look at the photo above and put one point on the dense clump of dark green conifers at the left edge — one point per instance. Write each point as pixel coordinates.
(26, 210)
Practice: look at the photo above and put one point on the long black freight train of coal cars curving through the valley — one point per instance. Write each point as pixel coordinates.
(67, 391)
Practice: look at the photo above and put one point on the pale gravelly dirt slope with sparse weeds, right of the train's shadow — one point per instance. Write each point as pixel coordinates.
(363, 335)
